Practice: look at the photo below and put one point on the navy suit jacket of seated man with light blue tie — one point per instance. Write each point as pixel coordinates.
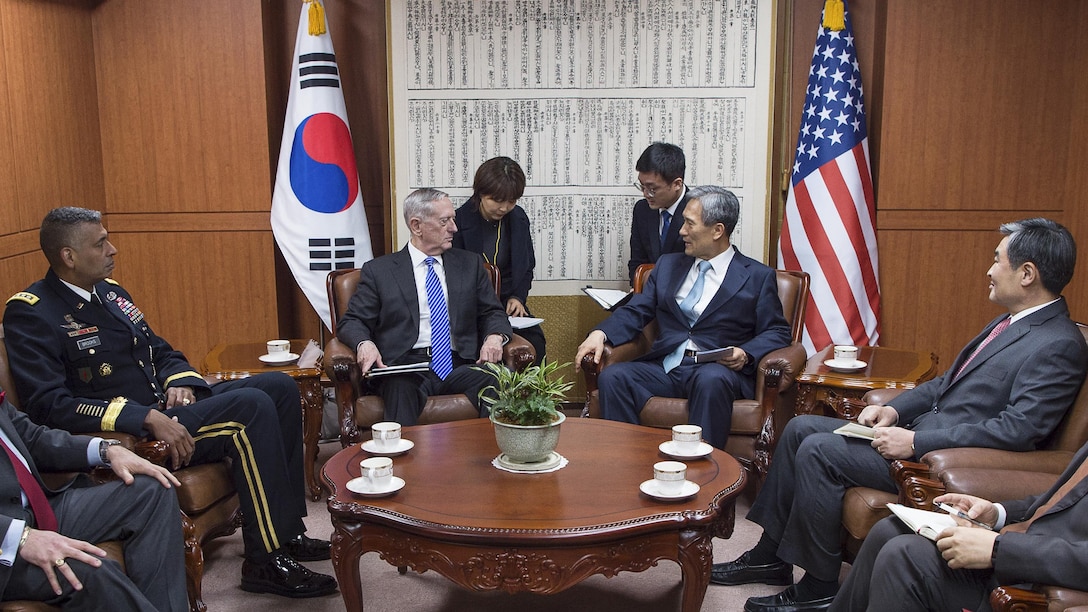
(746, 312)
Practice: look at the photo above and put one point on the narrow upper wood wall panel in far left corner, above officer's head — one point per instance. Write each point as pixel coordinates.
(52, 151)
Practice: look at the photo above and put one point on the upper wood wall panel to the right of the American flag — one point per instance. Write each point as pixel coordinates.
(976, 104)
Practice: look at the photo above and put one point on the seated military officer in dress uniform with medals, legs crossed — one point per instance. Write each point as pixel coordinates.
(84, 359)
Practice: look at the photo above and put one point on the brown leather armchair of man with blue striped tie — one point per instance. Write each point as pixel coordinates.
(357, 409)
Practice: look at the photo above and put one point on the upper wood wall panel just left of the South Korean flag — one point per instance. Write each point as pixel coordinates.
(182, 103)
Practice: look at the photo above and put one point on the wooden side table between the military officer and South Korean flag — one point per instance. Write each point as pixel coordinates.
(233, 362)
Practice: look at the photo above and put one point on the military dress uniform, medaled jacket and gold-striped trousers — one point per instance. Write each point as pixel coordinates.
(86, 368)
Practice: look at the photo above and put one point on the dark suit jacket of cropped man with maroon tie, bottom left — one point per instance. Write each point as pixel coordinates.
(53, 450)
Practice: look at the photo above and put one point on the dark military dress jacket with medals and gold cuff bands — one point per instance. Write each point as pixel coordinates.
(73, 360)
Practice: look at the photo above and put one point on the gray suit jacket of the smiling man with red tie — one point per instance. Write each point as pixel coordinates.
(1012, 395)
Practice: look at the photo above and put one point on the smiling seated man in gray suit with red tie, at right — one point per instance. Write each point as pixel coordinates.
(1008, 389)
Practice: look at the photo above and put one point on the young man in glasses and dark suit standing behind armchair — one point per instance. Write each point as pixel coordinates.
(656, 224)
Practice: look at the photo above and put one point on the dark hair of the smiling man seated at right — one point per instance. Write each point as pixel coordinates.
(1045, 243)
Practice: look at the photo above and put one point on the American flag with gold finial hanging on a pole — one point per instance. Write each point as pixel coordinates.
(830, 227)
